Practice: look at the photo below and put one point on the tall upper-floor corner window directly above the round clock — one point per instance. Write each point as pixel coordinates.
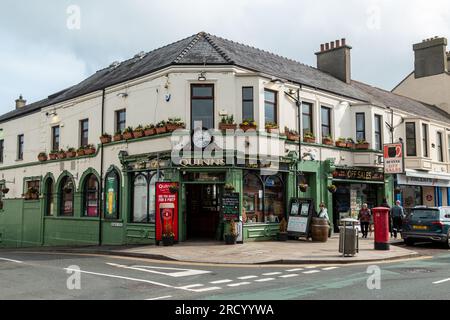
(202, 106)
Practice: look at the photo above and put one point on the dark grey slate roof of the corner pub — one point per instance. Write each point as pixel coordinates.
(208, 49)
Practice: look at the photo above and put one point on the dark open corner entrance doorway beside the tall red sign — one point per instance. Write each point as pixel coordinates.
(203, 211)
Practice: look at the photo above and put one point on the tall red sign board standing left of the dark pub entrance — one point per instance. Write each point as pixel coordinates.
(166, 209)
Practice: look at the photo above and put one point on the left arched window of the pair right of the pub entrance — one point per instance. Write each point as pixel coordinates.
(253, 199)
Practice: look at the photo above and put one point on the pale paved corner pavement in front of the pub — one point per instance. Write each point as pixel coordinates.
(254, 253)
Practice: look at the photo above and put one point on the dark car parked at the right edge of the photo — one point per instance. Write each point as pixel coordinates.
(427, 224)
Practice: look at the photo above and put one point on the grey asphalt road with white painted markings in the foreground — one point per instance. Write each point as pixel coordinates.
(40, 275)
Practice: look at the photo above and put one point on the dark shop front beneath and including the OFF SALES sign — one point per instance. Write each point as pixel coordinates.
(355, 187)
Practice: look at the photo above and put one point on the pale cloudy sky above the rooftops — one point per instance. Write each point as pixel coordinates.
(43, 51)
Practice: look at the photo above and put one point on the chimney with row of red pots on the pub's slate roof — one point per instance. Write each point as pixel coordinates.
(334, 58)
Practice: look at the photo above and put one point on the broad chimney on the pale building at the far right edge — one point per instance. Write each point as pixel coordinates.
(430, 57)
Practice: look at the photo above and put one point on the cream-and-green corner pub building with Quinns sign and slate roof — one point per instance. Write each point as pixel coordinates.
(105, 194)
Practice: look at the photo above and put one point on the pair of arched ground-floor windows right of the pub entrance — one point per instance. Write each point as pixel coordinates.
(263, 199)
